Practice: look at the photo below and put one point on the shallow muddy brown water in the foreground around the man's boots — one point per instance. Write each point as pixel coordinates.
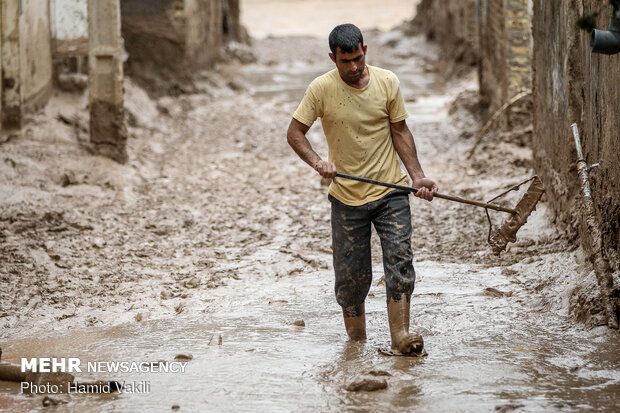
(484, 352)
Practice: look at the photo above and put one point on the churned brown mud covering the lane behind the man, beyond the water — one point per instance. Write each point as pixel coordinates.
(86, 241)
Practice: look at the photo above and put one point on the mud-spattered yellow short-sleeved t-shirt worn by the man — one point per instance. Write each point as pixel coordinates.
(356, 123)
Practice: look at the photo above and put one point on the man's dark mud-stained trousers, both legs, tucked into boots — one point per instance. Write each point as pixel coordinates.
(351, 230)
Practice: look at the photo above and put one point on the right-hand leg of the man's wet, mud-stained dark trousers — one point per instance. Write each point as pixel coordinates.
(392, 220)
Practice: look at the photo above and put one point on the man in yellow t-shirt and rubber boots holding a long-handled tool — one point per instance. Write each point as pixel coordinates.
(363, 115)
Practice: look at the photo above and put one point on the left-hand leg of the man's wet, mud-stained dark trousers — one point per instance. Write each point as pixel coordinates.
(351, 228)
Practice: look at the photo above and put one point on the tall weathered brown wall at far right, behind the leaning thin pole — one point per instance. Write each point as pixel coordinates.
(573, 85)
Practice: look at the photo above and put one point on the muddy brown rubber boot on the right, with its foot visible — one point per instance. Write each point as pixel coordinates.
(402, 340)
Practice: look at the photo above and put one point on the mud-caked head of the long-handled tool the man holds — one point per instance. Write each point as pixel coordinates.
(507, 232)
